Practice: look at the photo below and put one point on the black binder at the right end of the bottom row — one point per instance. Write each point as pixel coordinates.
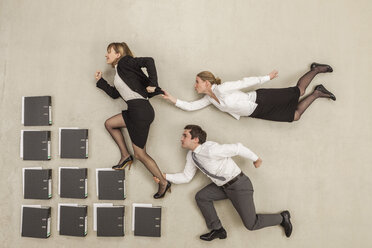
(146, 220)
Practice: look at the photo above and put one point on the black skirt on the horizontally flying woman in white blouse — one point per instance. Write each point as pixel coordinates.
(276, 104)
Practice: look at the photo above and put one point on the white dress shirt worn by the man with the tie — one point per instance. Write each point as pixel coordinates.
(216, 159)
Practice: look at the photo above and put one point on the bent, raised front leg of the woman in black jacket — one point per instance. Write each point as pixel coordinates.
(113, 126)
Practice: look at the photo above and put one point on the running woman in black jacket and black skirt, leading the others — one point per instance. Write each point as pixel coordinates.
(135, 88)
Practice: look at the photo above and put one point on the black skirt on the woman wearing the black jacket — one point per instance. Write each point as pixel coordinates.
(138, 118)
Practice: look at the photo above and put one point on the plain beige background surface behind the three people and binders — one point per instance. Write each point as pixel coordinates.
(318, 168)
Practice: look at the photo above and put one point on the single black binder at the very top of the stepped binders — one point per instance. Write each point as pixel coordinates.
(37, 110)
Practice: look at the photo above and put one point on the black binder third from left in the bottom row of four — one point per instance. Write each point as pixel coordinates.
(108, 220)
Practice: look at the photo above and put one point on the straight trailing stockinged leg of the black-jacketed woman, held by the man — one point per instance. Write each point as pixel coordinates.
(151, 165)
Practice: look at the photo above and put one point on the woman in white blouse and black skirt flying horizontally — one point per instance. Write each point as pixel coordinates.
(270, 104)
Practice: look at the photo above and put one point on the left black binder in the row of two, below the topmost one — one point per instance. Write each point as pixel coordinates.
(35, 145)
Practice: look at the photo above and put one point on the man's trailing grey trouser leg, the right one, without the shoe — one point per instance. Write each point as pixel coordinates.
(241, 195)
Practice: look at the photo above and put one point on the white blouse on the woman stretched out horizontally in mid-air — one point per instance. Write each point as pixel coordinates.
(231, 99)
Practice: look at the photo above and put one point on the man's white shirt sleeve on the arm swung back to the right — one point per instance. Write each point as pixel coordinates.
(231, 150)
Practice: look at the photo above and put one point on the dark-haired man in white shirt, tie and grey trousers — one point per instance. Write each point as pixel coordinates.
(229, 182)
